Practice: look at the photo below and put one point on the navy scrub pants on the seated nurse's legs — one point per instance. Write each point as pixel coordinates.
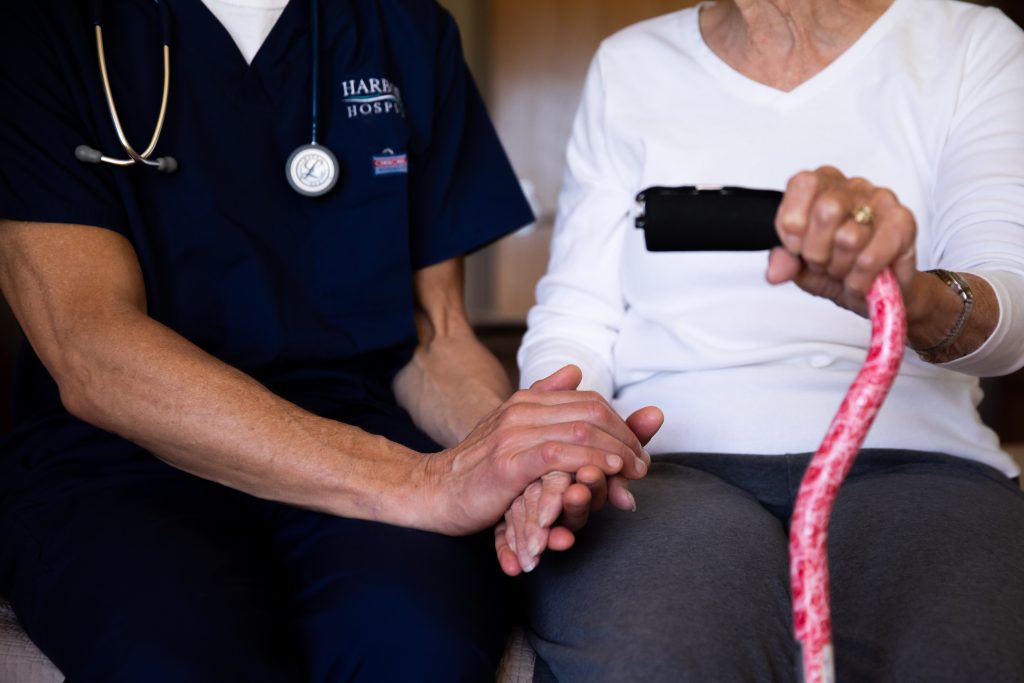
(156, 576)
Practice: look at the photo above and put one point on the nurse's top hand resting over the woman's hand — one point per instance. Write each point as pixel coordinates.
(548, 429)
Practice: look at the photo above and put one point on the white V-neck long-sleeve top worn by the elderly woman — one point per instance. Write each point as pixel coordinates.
(929, 103)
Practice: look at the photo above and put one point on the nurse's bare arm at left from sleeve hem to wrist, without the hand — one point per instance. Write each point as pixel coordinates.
(78, 293)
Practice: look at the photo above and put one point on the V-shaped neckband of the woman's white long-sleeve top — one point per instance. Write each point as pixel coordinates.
(759, 94)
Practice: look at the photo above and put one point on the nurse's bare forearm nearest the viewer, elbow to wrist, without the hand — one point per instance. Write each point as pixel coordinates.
(132, 376)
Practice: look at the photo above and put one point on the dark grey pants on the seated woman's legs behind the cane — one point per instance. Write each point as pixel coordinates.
(926, 560)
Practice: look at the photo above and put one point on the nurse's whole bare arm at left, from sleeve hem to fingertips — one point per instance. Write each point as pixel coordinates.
(78, 293)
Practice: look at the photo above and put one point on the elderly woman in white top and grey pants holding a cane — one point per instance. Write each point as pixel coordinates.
(912, 113)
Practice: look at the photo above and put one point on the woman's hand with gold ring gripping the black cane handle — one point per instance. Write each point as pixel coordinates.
(839, 234)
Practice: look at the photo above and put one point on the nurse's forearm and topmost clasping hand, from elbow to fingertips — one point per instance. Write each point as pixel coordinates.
(135, 377)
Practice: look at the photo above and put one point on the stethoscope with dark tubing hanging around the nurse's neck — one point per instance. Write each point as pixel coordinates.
(312, 170)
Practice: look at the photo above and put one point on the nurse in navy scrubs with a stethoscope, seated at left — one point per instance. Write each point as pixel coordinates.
(237, 363)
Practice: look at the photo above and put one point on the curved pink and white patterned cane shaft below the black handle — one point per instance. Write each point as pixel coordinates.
(809, 528)
